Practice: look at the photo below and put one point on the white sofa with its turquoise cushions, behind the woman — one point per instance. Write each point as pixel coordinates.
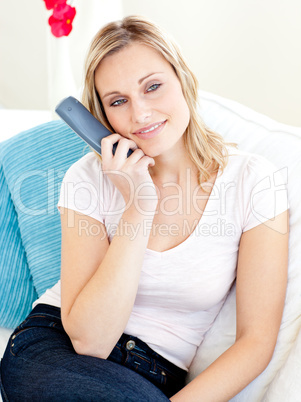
(32, 166)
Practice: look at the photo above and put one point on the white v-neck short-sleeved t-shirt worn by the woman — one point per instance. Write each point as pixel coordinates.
(182, 290)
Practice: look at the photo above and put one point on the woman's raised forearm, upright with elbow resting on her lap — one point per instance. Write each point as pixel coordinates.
(102, 309)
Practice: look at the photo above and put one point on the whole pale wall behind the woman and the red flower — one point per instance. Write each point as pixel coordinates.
(246, 50)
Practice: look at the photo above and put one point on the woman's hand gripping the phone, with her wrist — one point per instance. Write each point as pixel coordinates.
(130, 175)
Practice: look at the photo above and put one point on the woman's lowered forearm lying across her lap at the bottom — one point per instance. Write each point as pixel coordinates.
(229, 374)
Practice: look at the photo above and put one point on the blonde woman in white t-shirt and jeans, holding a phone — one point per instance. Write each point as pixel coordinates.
(152, 243)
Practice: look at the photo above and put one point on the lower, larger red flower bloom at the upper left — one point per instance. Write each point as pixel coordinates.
(61, 20)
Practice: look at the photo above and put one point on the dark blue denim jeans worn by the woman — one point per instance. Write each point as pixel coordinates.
(40, 364)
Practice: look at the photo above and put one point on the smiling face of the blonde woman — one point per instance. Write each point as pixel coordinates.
(142, 98)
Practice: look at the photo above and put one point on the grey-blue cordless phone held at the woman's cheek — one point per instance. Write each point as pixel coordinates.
(83, 123)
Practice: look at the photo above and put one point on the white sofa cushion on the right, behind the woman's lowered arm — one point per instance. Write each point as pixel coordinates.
(281, 144)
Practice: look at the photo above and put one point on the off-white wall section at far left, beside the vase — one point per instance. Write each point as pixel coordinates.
(23, 62)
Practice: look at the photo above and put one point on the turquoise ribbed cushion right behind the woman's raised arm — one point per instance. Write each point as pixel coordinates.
(34, 164)
